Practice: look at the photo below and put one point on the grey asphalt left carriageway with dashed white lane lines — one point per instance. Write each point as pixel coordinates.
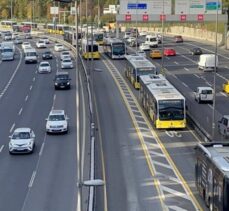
(46, 179)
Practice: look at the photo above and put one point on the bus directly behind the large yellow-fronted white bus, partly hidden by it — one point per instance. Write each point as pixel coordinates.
(136, 66)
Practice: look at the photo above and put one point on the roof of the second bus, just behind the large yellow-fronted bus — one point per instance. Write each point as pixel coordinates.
(139, 61)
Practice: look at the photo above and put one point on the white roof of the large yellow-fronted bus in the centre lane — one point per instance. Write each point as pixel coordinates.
(163, 90)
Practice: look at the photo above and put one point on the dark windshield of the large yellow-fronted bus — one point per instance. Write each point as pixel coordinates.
(171, 109)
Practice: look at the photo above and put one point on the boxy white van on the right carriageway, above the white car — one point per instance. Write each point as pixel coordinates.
(207, 62)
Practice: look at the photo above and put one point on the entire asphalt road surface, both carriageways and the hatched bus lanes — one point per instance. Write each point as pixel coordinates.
(143, 168)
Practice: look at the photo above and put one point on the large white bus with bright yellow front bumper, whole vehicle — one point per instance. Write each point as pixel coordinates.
(164, 104)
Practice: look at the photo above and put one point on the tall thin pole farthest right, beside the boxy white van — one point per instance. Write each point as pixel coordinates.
(214, 76)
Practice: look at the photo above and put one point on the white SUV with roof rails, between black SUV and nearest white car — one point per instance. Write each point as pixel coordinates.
(57, 122)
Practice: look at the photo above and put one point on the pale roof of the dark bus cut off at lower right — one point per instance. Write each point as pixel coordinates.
(219, 153)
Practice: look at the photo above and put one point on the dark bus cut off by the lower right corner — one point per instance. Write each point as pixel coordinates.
(212, 174)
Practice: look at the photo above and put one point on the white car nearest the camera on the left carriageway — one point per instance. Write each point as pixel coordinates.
(22, 141)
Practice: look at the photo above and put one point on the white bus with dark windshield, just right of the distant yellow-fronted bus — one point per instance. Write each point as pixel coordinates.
(114, 48)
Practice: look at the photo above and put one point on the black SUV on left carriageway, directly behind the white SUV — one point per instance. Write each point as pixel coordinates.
(62, 80)
